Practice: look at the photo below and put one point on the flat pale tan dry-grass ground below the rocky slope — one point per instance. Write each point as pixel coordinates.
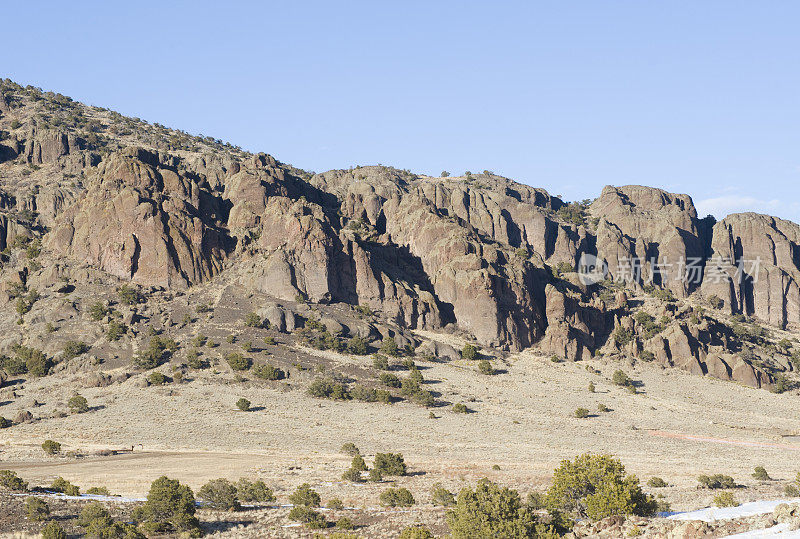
(677, 427)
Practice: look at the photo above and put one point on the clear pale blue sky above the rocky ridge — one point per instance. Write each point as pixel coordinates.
(695, 97)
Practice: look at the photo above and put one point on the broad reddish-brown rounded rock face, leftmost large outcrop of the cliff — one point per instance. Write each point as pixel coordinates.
(145, 223)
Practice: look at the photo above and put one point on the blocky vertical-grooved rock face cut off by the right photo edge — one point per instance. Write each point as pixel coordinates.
(754, 267)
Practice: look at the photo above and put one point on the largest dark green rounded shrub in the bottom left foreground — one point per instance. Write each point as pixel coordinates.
(170, 507)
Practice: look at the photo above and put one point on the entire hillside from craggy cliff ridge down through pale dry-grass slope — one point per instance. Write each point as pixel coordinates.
(164, 276)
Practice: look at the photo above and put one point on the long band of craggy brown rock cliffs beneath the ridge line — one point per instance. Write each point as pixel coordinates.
(480, 253)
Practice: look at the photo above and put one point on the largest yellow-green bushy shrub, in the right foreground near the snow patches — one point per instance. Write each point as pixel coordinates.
(596, 486)
